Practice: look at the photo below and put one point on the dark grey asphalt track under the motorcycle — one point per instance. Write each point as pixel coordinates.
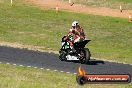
(51, 61)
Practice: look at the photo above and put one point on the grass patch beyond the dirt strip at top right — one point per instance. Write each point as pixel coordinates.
(127, 4)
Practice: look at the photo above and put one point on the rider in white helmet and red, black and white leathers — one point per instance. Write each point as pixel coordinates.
(77, 32)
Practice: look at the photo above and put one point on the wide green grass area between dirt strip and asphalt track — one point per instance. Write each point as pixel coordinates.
(21, 23)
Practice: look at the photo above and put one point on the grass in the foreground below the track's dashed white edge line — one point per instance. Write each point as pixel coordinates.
(23, 77)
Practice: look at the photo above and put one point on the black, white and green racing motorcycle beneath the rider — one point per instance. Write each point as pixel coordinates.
(79, 53)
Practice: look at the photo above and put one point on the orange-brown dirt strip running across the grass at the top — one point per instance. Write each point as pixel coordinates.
(80, 8)
